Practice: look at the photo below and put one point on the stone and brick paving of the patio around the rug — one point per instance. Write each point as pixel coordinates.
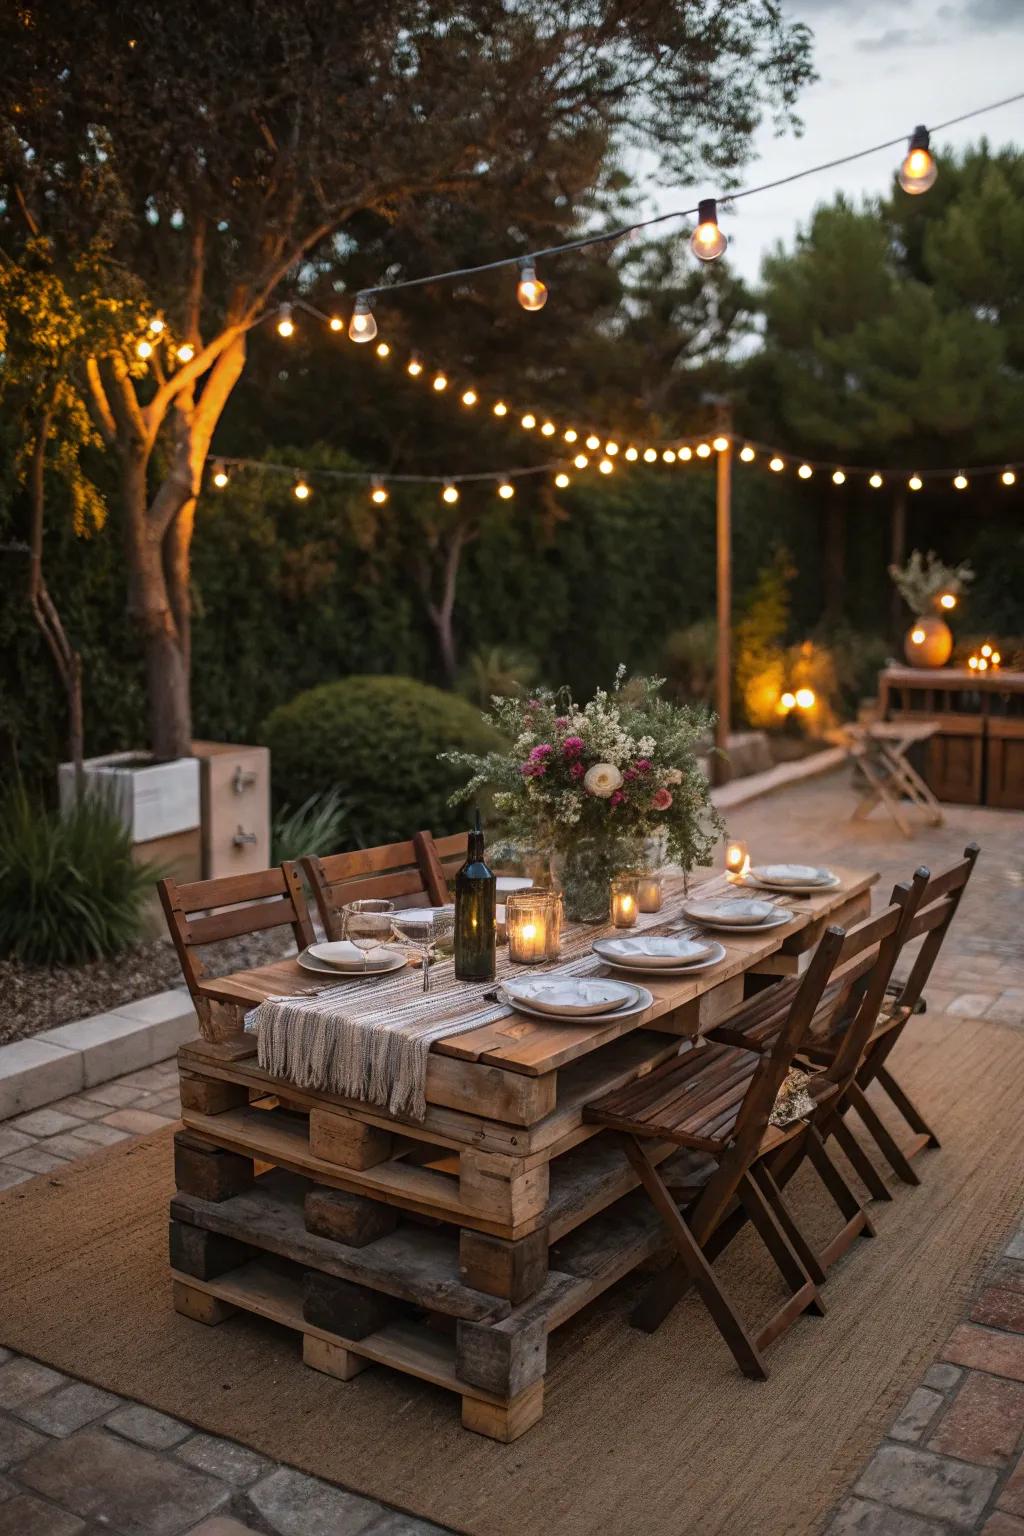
(76, 1462)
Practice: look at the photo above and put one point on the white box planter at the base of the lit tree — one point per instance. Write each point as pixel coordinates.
(153, 799)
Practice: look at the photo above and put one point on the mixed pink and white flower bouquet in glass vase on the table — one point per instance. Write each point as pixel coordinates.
(596, 784)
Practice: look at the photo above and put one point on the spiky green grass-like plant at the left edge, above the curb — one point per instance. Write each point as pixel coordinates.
(70, 889)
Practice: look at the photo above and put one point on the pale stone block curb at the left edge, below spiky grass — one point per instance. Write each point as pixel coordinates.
(62, 1062)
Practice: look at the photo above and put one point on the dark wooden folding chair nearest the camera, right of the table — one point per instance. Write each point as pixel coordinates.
(718, 1099)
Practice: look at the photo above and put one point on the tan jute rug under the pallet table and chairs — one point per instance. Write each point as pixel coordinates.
(656, 1434)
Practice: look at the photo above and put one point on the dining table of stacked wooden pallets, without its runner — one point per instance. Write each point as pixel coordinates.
(448, 1248)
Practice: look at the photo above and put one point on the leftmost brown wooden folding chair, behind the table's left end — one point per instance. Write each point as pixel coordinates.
(234, 905)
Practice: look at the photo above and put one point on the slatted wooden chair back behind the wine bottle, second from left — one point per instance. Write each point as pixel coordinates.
(409, 873)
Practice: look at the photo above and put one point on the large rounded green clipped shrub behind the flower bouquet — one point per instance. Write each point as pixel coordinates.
(377, 741)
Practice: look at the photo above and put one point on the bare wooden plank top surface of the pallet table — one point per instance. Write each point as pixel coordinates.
(535, 1047)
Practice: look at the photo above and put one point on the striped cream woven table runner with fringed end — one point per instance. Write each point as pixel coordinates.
(369, 1041)
